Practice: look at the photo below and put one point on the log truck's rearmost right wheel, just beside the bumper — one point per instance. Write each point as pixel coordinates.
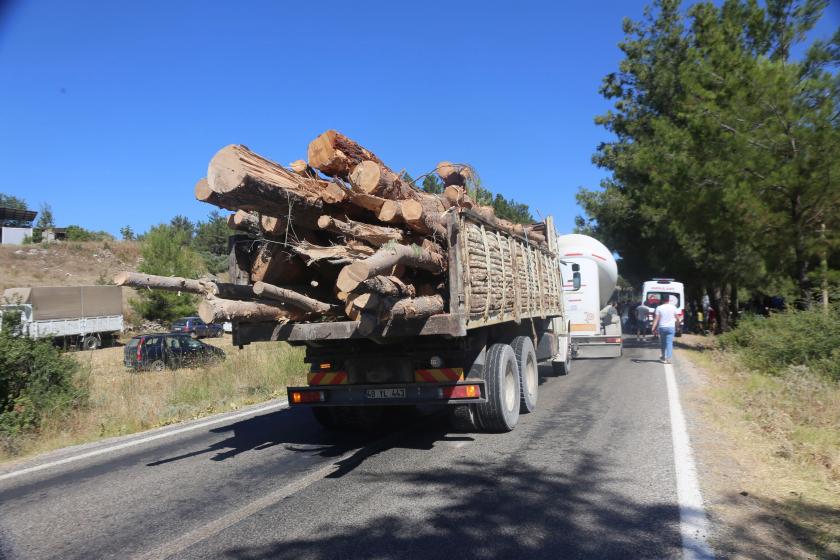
(501, 375)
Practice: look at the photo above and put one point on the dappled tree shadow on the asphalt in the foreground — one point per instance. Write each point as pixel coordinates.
(511, 509)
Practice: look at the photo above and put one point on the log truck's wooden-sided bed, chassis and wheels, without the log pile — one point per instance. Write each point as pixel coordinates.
(504, 314)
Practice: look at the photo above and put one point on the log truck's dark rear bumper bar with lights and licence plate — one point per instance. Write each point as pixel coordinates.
(359, 395)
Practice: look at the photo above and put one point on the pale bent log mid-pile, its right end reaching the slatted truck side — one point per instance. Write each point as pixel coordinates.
(383, 262)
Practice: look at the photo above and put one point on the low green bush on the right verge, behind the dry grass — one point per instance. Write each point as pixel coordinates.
(793, 338)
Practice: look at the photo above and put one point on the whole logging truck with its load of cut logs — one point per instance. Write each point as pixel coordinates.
(401, 297)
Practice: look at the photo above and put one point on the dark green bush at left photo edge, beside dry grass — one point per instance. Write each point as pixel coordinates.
(36, 380)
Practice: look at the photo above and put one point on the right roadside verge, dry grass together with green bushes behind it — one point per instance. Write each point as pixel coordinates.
(774, 387)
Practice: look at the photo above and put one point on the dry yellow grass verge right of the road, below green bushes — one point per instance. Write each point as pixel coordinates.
(785, 434)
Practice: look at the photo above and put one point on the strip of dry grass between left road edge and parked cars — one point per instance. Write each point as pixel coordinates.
(122, 402)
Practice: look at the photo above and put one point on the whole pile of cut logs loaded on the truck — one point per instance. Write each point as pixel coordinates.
(342, 236)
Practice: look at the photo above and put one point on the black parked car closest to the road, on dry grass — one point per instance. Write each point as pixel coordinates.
(156, 352)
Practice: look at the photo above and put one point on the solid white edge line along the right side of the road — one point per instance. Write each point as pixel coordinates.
(694, 526)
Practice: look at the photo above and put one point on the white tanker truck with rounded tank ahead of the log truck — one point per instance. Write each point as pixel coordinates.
(595, 328)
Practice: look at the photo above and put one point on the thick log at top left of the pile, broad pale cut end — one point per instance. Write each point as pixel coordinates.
(243, 180)
